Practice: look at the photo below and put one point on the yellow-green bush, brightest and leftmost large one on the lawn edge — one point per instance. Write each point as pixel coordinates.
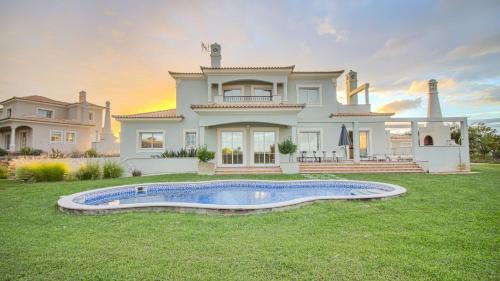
(39, 172)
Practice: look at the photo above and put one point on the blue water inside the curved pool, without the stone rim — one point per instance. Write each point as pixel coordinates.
(231, 192)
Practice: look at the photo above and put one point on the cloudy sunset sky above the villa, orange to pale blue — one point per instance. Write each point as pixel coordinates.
(122, 50)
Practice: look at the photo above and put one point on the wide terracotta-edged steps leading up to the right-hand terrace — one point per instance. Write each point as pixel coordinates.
(363, 167)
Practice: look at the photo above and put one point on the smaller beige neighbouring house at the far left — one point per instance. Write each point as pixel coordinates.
(46, 124)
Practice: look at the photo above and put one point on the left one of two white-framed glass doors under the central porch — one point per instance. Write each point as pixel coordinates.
(232, 148)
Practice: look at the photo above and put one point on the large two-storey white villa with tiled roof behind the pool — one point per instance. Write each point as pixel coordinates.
(242, 113)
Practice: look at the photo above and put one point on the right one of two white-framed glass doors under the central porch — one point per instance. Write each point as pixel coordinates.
(264, 148)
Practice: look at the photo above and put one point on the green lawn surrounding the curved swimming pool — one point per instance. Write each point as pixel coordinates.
(447, 227)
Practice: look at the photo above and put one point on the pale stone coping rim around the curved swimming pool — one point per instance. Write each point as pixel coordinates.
(66, 203)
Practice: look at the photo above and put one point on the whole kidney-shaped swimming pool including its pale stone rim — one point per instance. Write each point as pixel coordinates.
(223, 196)
